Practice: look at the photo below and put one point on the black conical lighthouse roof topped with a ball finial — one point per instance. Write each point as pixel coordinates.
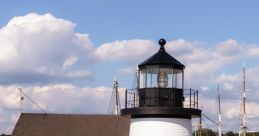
(162, 58)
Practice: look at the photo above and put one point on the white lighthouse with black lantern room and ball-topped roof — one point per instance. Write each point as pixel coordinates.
(160, 106)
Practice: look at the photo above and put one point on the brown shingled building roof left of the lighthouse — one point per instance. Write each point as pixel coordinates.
(31, 124)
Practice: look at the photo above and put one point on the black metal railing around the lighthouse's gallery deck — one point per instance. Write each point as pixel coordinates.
(190, 100)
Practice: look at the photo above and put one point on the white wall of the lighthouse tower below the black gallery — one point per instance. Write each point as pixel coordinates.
(160, 127)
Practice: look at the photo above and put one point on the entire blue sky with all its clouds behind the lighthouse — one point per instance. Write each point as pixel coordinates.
(68, 53)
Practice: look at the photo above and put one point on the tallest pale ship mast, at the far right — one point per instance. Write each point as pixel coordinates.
(243, 120)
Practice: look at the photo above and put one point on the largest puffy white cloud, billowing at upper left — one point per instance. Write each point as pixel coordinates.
(36, 47)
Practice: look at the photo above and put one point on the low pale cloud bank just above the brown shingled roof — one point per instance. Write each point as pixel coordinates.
(84, 100)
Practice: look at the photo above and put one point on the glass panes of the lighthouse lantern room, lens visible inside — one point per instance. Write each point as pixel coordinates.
(158, 77)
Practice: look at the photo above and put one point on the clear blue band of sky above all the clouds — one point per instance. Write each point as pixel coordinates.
(106, 21)
